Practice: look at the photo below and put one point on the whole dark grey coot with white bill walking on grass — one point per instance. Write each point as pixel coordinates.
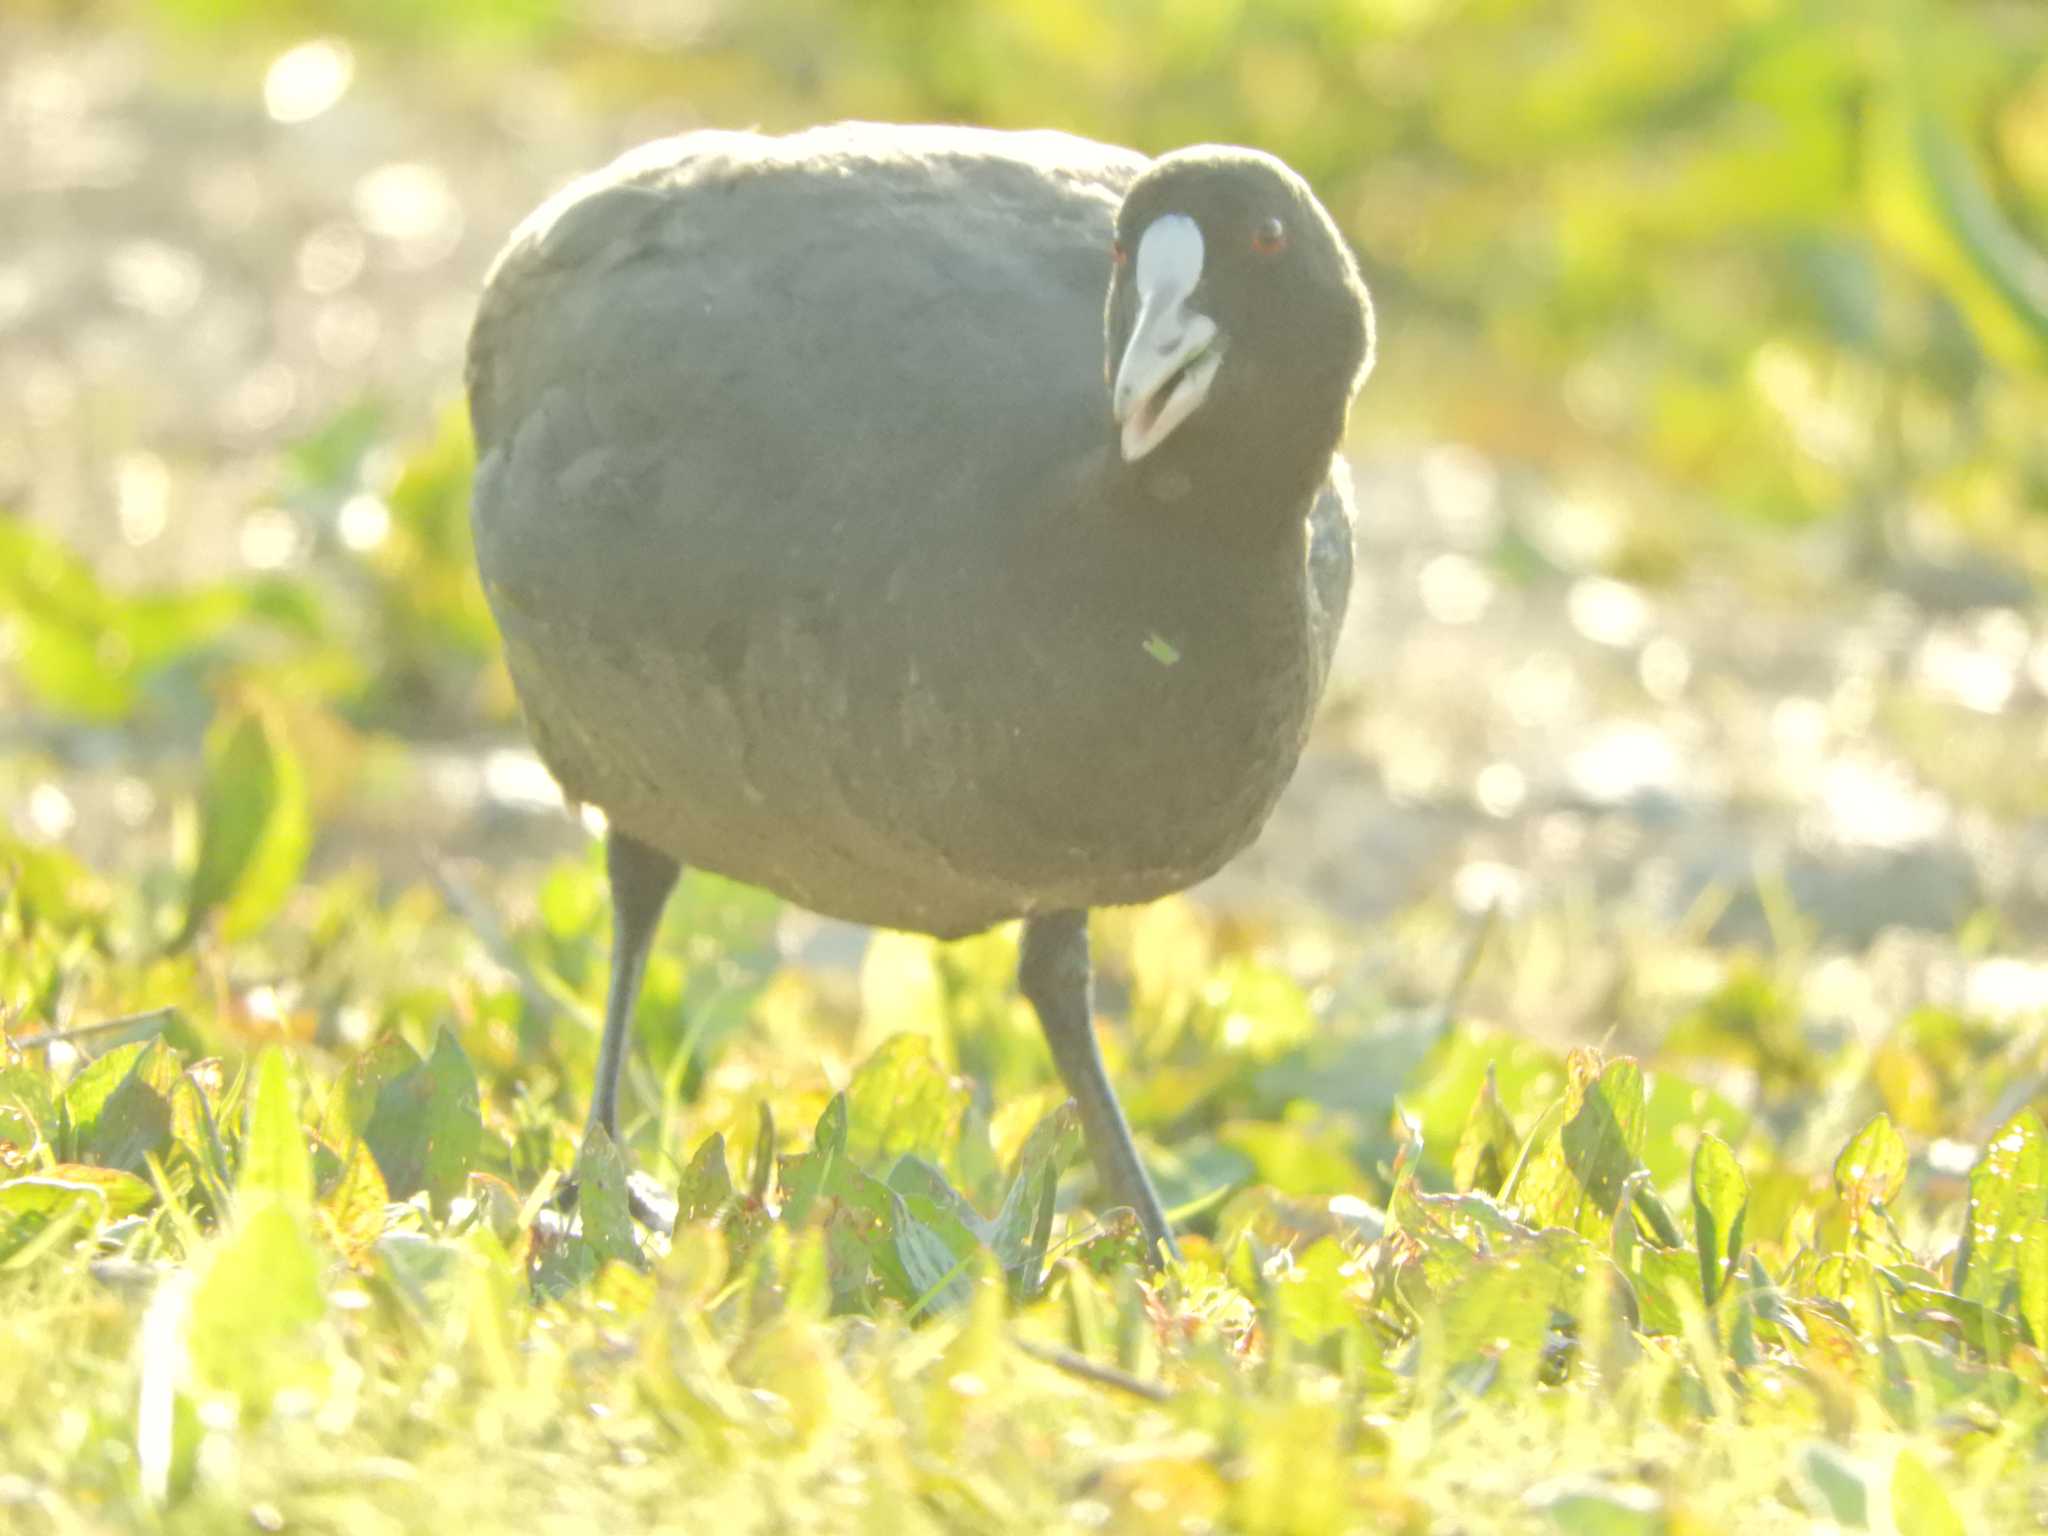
(931, 525)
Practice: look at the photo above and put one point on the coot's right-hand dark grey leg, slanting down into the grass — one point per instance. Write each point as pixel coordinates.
(1056, 976)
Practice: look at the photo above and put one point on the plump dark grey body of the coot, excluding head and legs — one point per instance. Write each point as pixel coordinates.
(773, 439)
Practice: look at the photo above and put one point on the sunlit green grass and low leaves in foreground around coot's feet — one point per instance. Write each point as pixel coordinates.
(282, 1258)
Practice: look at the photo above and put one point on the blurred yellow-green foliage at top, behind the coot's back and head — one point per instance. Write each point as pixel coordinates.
(1770, 257)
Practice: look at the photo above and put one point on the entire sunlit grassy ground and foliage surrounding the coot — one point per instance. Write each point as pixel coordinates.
(286, 1084)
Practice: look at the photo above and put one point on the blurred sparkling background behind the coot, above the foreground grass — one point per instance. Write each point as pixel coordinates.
(1705, 472)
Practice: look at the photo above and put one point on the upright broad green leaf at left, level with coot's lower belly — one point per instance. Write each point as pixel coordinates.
(253, 826)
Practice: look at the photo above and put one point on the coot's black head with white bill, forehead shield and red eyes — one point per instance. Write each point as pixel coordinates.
(1238, 333)
